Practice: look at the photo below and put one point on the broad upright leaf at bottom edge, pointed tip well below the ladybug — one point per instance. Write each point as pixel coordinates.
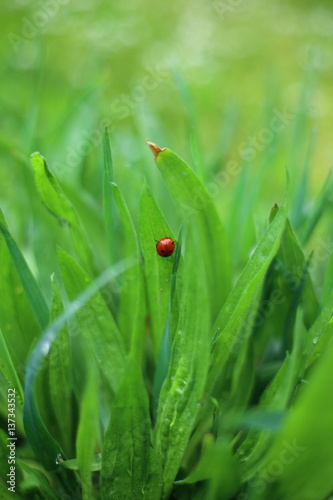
(126, 448)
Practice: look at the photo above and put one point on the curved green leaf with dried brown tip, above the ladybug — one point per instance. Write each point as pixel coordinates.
(197, 206)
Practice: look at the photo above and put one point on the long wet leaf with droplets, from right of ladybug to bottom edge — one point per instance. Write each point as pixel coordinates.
(183, 388)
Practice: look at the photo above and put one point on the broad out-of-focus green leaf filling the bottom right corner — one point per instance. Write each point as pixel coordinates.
(302, 452)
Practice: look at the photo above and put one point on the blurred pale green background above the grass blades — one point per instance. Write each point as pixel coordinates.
(202, 78)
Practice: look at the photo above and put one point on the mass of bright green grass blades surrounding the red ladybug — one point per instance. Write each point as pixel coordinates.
(205, 375)
